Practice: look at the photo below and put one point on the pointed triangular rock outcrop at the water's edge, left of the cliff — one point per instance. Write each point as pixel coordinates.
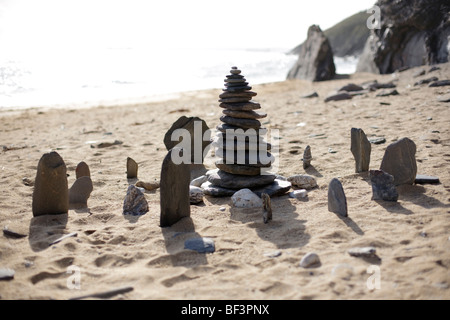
(315, 61)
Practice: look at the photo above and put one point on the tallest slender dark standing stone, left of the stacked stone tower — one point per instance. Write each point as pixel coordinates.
(174, 190)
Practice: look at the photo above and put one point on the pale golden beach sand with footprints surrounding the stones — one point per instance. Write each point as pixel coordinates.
(252, 260)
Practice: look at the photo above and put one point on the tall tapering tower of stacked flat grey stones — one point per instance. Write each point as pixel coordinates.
(244, 155)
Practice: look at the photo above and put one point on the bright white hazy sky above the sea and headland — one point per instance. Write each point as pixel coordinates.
(31, 24)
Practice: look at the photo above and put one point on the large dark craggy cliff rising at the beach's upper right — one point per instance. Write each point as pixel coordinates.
(412, 33)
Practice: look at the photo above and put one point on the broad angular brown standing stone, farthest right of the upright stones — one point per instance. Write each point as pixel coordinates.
(399, 160)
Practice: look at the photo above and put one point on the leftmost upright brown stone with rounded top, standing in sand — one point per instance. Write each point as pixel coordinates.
(51, 192)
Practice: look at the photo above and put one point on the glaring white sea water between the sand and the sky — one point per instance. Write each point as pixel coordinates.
(71, 76)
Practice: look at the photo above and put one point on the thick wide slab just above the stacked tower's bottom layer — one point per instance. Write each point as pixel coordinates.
(232, 181)
